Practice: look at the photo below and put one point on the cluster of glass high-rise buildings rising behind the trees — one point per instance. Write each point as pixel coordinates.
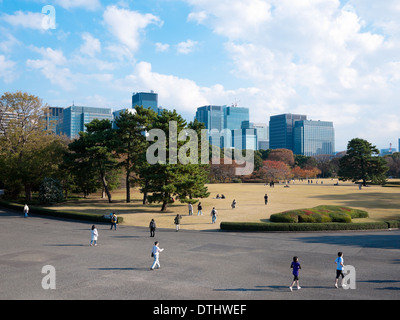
(227, 126)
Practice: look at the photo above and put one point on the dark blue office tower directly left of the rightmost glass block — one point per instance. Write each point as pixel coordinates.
(281, 130)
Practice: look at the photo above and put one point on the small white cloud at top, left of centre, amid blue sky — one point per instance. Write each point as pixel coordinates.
(127, 25)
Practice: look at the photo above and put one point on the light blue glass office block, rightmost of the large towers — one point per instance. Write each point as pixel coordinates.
(312, 138)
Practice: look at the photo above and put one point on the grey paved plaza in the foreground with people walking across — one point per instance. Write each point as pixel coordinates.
(195, 265)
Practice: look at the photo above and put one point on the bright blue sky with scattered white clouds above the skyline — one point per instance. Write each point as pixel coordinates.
(332, 60)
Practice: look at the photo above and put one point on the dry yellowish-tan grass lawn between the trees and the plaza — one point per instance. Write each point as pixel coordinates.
(379, 202)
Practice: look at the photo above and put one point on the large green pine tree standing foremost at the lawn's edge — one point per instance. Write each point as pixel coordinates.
(170, 177)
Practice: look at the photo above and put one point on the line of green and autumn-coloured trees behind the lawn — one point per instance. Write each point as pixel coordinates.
(31, 154)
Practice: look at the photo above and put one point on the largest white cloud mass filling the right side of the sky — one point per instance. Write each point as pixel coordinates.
(316, 57)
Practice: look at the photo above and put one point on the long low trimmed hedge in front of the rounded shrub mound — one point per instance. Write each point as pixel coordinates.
(331, 226)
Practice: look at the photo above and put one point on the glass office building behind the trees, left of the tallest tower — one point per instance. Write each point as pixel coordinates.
(73, 119)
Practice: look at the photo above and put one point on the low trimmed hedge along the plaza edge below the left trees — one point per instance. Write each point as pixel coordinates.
(58, 213)
